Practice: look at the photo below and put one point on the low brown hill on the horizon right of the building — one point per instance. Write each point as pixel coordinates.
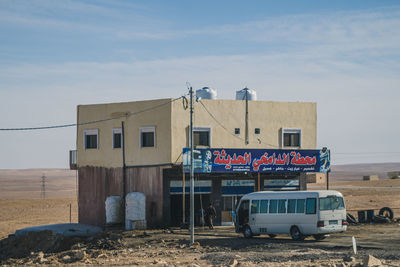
(351, 172)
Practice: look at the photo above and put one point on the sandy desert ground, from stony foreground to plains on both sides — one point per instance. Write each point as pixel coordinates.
(22, 206)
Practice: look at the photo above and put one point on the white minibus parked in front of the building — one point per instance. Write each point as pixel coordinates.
(298, 213)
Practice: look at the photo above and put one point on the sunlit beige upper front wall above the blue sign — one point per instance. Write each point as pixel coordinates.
(270, 117)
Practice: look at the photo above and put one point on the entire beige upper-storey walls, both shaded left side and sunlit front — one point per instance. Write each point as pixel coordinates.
(172, 128)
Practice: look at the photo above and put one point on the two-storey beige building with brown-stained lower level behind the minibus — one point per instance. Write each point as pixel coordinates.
(156, 131)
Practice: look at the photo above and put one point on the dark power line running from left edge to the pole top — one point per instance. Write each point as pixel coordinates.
(89, 122)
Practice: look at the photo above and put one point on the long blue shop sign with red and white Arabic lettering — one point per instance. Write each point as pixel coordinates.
(257, 160)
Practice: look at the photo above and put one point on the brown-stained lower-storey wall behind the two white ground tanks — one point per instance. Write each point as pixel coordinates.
(97, 183)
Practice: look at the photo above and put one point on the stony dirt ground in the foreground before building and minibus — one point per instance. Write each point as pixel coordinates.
(217, 247)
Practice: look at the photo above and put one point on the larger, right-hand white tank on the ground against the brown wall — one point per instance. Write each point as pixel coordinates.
(135, 208)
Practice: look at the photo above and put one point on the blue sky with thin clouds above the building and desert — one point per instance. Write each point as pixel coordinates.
(343, 55)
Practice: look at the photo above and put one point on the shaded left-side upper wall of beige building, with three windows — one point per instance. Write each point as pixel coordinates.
(106, 155)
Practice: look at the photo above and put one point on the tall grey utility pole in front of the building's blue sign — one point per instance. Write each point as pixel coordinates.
(191, 170)
